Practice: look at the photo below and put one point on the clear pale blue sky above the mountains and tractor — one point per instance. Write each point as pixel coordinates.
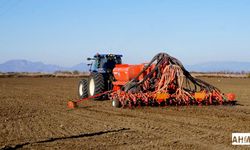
(66, 32)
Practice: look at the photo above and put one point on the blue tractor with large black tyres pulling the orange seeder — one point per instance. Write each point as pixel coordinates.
(101, 75)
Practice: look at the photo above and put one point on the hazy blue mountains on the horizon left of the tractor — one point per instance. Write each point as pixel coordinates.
(29, 66)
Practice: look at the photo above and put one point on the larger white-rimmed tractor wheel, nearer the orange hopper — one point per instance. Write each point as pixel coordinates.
(96, 85)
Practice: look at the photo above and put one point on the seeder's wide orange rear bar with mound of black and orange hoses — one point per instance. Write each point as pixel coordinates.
(169, 83)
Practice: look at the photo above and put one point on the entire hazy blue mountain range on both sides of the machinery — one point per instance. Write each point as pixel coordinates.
(29, 66)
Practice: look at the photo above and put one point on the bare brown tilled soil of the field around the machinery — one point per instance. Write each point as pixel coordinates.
(34, 116)
